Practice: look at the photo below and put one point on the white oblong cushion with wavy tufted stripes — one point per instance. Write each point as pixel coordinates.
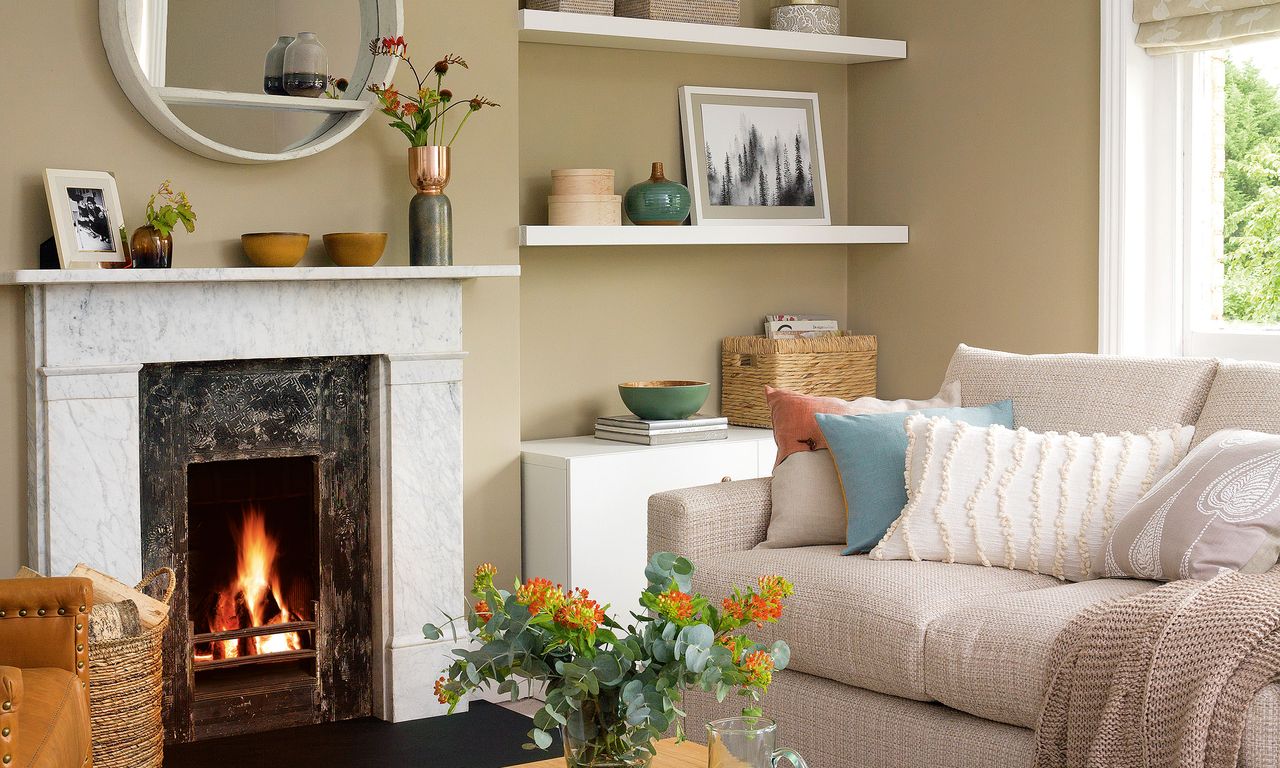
(1036, 502)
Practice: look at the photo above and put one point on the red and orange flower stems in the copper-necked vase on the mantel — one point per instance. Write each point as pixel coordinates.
(420, 116)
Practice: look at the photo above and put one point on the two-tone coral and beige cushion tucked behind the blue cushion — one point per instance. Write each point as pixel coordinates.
(808, 502)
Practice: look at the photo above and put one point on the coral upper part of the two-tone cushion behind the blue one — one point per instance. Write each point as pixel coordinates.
(796, 428)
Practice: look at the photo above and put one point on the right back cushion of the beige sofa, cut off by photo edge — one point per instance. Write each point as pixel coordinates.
(1245, 396)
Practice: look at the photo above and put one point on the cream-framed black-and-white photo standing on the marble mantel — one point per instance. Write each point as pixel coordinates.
(86, 212)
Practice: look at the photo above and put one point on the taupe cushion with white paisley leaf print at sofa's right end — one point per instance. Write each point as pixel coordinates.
(1218, 511)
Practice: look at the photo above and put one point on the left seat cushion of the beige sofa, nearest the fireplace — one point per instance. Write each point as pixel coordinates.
(860, 621)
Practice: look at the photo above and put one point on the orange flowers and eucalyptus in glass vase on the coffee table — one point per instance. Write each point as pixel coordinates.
(615, 691)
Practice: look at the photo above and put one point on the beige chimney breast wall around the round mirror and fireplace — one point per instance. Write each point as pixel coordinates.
(79, 118)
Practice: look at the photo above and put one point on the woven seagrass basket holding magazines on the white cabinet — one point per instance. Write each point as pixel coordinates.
(839, 367)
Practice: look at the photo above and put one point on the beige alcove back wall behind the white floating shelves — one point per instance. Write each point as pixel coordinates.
(593, 318)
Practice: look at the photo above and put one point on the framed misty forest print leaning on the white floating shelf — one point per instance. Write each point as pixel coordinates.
(755, 157)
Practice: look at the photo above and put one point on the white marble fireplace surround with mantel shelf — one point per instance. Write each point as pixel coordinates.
(90, 332)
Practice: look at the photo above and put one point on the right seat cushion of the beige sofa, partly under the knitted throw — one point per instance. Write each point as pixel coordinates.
(991, 659)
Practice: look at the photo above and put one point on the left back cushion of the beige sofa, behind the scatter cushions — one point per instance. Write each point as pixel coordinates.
(1086, 394)
